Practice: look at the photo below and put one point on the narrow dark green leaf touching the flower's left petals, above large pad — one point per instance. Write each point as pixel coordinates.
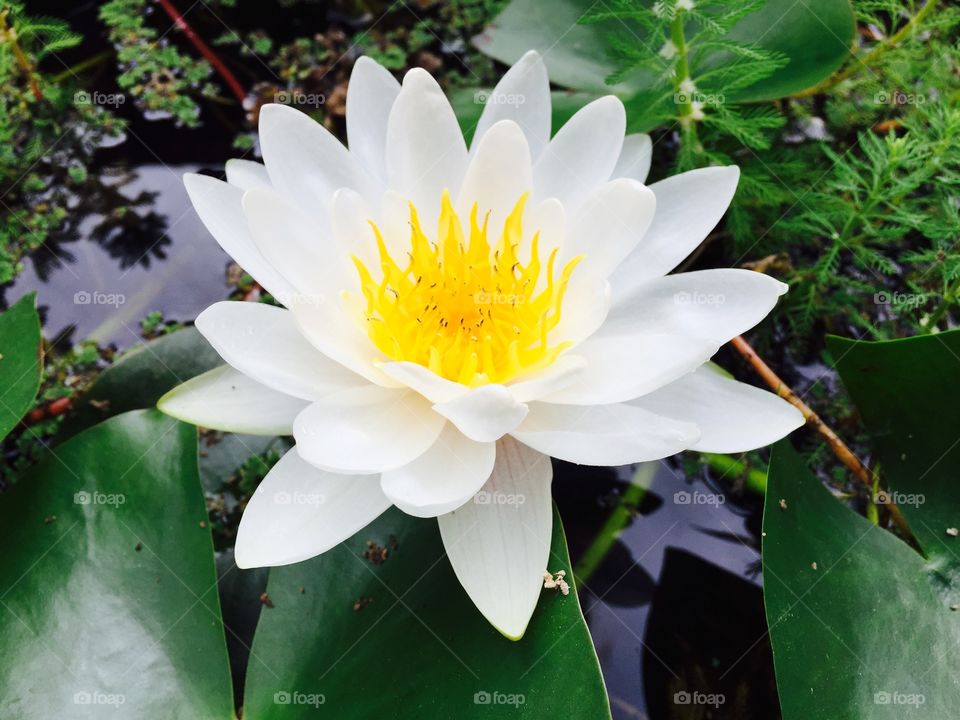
(141, 376)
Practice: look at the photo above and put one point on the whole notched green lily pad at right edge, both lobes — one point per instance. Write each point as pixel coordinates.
(862, 626)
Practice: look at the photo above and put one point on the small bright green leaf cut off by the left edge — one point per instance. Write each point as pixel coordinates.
(20, 362)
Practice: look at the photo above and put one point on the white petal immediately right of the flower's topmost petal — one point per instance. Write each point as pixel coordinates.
(582, 154)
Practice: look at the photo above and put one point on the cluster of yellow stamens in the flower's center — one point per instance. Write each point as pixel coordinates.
(470, 311)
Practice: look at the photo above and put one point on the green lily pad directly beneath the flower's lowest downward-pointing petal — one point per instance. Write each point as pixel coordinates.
(402, 640)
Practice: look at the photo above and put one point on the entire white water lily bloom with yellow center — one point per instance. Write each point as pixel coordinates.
(456, 315)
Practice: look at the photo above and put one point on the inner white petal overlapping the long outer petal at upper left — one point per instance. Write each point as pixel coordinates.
(289, 239)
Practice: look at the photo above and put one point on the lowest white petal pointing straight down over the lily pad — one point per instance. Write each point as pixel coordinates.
(499, 549)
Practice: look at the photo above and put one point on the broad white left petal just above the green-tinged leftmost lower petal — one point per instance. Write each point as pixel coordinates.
(263, 342)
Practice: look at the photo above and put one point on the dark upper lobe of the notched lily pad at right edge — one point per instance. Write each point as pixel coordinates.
(909, 401)
